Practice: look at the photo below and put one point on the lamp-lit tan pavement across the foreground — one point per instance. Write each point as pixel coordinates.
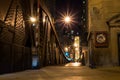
(64, 73)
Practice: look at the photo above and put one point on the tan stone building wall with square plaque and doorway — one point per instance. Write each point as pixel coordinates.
(104, 32)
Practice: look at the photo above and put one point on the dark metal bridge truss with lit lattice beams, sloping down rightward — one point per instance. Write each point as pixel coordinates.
(20, 41)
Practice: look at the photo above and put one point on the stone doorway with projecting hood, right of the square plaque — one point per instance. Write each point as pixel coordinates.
(114, 23)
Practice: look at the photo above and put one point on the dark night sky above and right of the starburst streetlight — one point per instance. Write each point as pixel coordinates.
(73, 7)
